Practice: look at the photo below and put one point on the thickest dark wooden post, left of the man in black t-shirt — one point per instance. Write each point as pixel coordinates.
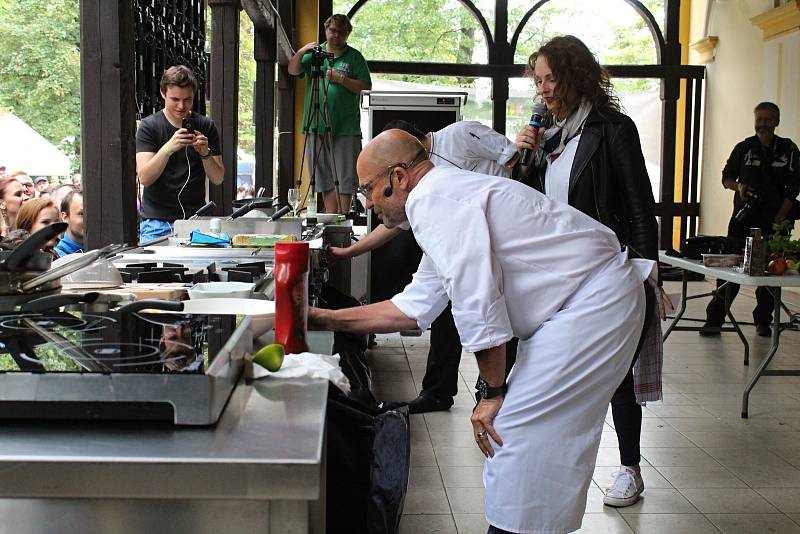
(108, 121)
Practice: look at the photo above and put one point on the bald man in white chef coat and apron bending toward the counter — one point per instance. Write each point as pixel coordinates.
(513, 263)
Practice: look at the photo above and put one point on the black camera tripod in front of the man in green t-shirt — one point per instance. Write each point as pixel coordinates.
(318, 118)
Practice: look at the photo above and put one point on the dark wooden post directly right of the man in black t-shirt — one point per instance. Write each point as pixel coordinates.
(224, 76)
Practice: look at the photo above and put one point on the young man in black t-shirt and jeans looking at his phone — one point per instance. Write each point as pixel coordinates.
(173, 162)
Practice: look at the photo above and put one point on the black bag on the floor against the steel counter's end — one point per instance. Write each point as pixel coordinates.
(369, 456)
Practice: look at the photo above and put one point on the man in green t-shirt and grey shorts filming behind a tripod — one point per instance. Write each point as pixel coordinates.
(345, 76)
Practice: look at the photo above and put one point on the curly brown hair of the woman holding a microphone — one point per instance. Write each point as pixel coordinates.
(578, 75)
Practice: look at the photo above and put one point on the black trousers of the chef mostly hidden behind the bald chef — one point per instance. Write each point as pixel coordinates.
(441, 373)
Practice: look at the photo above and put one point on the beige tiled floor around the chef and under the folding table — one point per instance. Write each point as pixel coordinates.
(706, 470)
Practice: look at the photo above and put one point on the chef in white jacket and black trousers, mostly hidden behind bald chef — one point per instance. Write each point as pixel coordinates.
(467, 145)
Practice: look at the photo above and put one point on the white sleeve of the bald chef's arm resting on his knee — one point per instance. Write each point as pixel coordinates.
(455, 234)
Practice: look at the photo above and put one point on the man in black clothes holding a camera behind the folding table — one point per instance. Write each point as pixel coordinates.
(764, 170)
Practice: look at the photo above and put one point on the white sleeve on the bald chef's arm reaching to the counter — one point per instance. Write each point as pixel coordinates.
(424, 298)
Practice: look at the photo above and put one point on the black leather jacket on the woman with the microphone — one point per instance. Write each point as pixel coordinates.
(609, 182)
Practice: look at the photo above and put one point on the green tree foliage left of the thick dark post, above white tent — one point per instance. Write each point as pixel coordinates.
(40, 68)
